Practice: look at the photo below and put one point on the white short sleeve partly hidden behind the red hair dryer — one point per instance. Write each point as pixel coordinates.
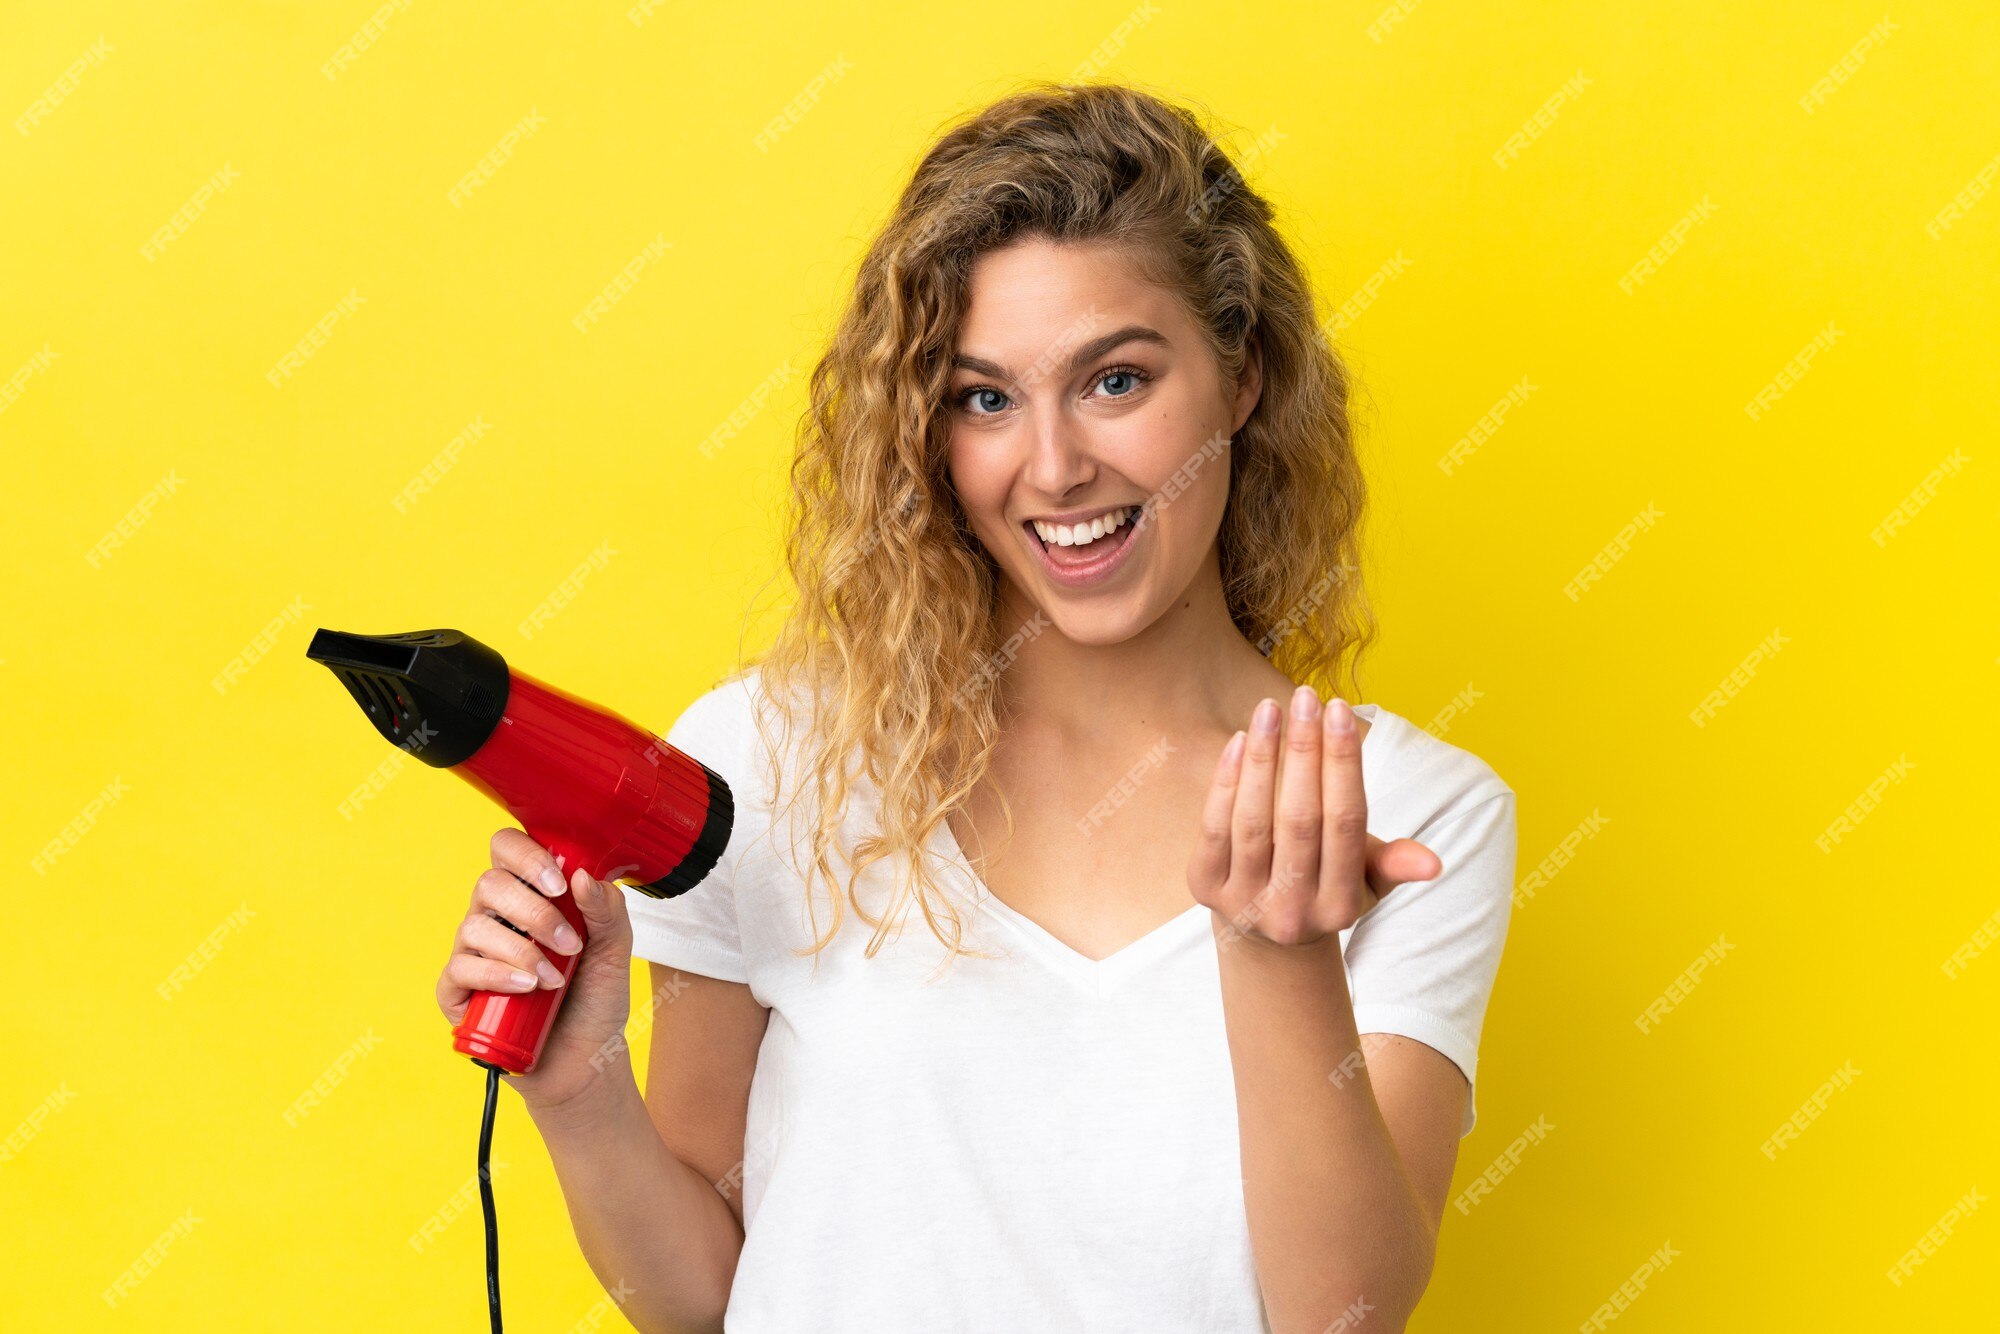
(699, 931)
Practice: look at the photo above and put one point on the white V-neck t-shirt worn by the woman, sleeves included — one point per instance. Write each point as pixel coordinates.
(1039, 1141)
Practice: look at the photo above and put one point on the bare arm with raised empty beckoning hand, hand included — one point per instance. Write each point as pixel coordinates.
(1347, 1163)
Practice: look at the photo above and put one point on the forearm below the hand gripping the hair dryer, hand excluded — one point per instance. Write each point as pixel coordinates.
(655, 1231)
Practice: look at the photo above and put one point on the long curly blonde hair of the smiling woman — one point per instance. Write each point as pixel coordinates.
(885, 665)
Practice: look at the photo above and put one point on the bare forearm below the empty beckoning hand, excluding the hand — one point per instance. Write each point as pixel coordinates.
(1335, 1217)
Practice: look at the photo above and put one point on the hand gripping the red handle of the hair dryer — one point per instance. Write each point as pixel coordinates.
(589, 1035)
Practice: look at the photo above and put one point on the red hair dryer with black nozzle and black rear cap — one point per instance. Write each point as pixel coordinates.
(585, 783)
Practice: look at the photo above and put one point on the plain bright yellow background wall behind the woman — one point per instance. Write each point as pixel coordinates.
(285, 497)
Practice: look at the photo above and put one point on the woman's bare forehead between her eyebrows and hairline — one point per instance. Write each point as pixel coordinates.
(1037, 295)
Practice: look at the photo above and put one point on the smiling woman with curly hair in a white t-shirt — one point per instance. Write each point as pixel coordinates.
(1075, 509)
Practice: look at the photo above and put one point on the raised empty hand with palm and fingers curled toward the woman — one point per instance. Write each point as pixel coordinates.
(1285, 851)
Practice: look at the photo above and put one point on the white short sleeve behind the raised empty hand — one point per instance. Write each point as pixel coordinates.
(1423, 961)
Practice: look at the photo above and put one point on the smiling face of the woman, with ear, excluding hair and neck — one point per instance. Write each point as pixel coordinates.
(1079, 391)
